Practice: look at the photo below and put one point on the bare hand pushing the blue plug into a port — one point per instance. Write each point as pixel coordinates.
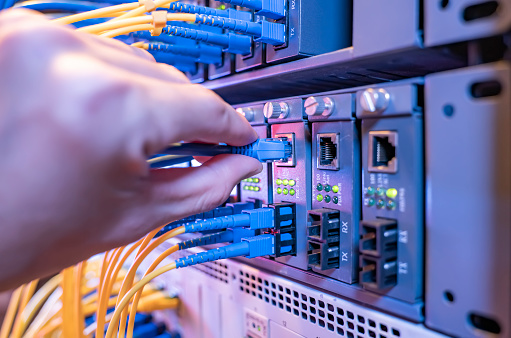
(79, 115)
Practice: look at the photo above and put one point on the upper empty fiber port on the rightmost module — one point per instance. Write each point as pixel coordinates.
(378, 238)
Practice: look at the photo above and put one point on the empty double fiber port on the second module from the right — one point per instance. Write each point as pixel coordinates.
(323, 227)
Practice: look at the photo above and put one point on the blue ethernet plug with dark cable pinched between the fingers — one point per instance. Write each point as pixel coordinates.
(265, 150)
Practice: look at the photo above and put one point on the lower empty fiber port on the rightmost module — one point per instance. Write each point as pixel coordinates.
(377, 274)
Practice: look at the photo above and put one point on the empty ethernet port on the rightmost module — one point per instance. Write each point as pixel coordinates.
(382, 151)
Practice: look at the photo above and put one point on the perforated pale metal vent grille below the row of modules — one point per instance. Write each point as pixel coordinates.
(307, 307)
